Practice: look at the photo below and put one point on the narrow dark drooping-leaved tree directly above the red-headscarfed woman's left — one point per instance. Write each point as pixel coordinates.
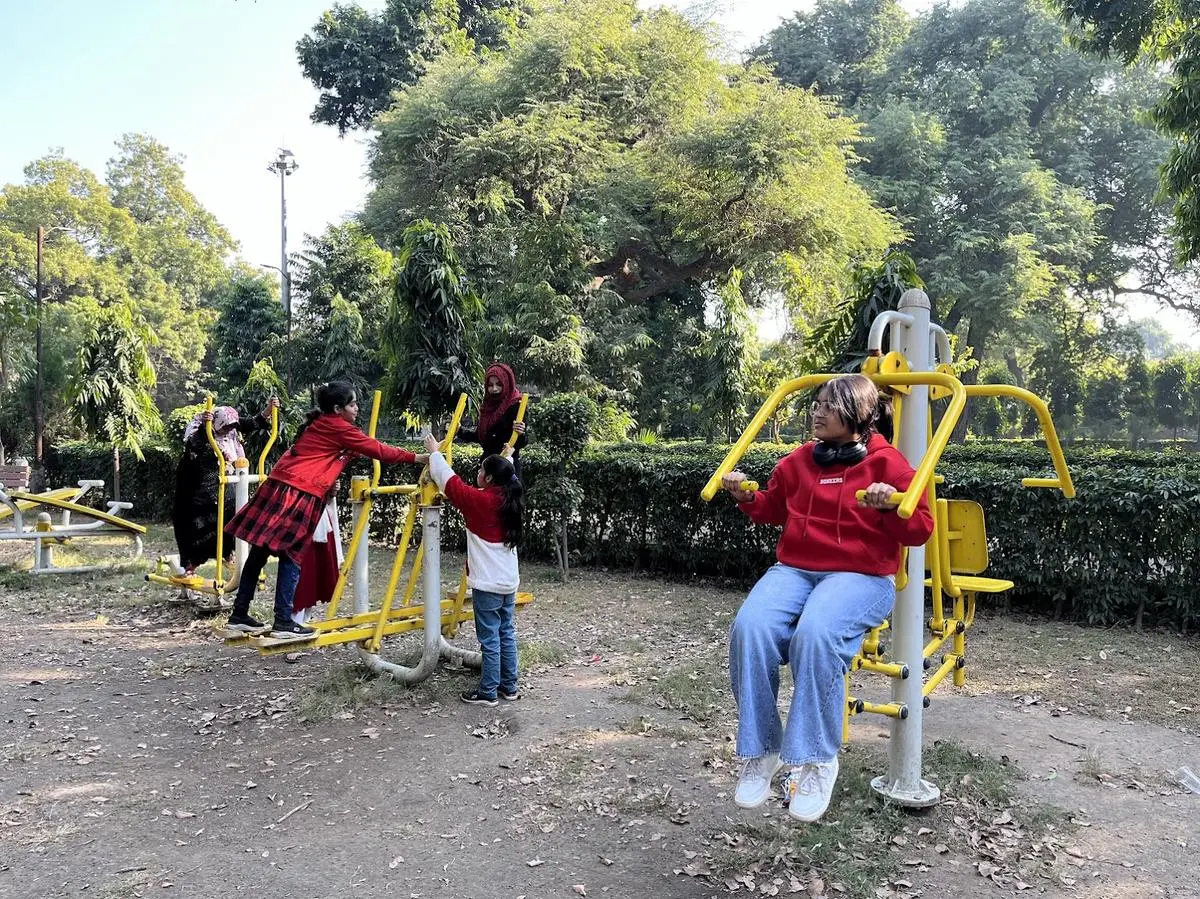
(427, 347)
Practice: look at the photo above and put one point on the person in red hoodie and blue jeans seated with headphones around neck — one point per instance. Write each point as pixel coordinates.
(835, 580)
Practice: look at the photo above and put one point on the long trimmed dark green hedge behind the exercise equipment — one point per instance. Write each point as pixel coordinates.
(1127, 548)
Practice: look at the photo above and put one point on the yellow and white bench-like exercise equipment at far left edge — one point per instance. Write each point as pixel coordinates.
(45, 534)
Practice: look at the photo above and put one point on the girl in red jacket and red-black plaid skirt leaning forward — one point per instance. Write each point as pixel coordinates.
(281, 517)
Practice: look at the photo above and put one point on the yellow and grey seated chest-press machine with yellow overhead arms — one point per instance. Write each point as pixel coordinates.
(916, 373)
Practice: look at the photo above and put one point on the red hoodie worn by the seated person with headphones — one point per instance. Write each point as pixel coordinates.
(825, 529)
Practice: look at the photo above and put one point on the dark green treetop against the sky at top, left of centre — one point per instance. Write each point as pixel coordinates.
(359, 59)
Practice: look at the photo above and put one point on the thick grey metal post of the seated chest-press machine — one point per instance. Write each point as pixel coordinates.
(903, 784)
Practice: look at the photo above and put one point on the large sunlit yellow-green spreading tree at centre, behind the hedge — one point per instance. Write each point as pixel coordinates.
(608, 166)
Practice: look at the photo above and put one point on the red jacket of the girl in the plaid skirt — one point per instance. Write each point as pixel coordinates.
(323, 452)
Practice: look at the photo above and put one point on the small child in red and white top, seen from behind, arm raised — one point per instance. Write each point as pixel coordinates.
(494, 512)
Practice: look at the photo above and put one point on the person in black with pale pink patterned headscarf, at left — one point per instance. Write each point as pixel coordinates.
(195, 513)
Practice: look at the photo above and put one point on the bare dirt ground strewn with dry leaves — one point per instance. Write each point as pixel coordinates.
(140, 757)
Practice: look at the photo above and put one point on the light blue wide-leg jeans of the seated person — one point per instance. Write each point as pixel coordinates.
(814, 621)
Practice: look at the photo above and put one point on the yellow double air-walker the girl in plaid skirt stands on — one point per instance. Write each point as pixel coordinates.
(437, 616)
